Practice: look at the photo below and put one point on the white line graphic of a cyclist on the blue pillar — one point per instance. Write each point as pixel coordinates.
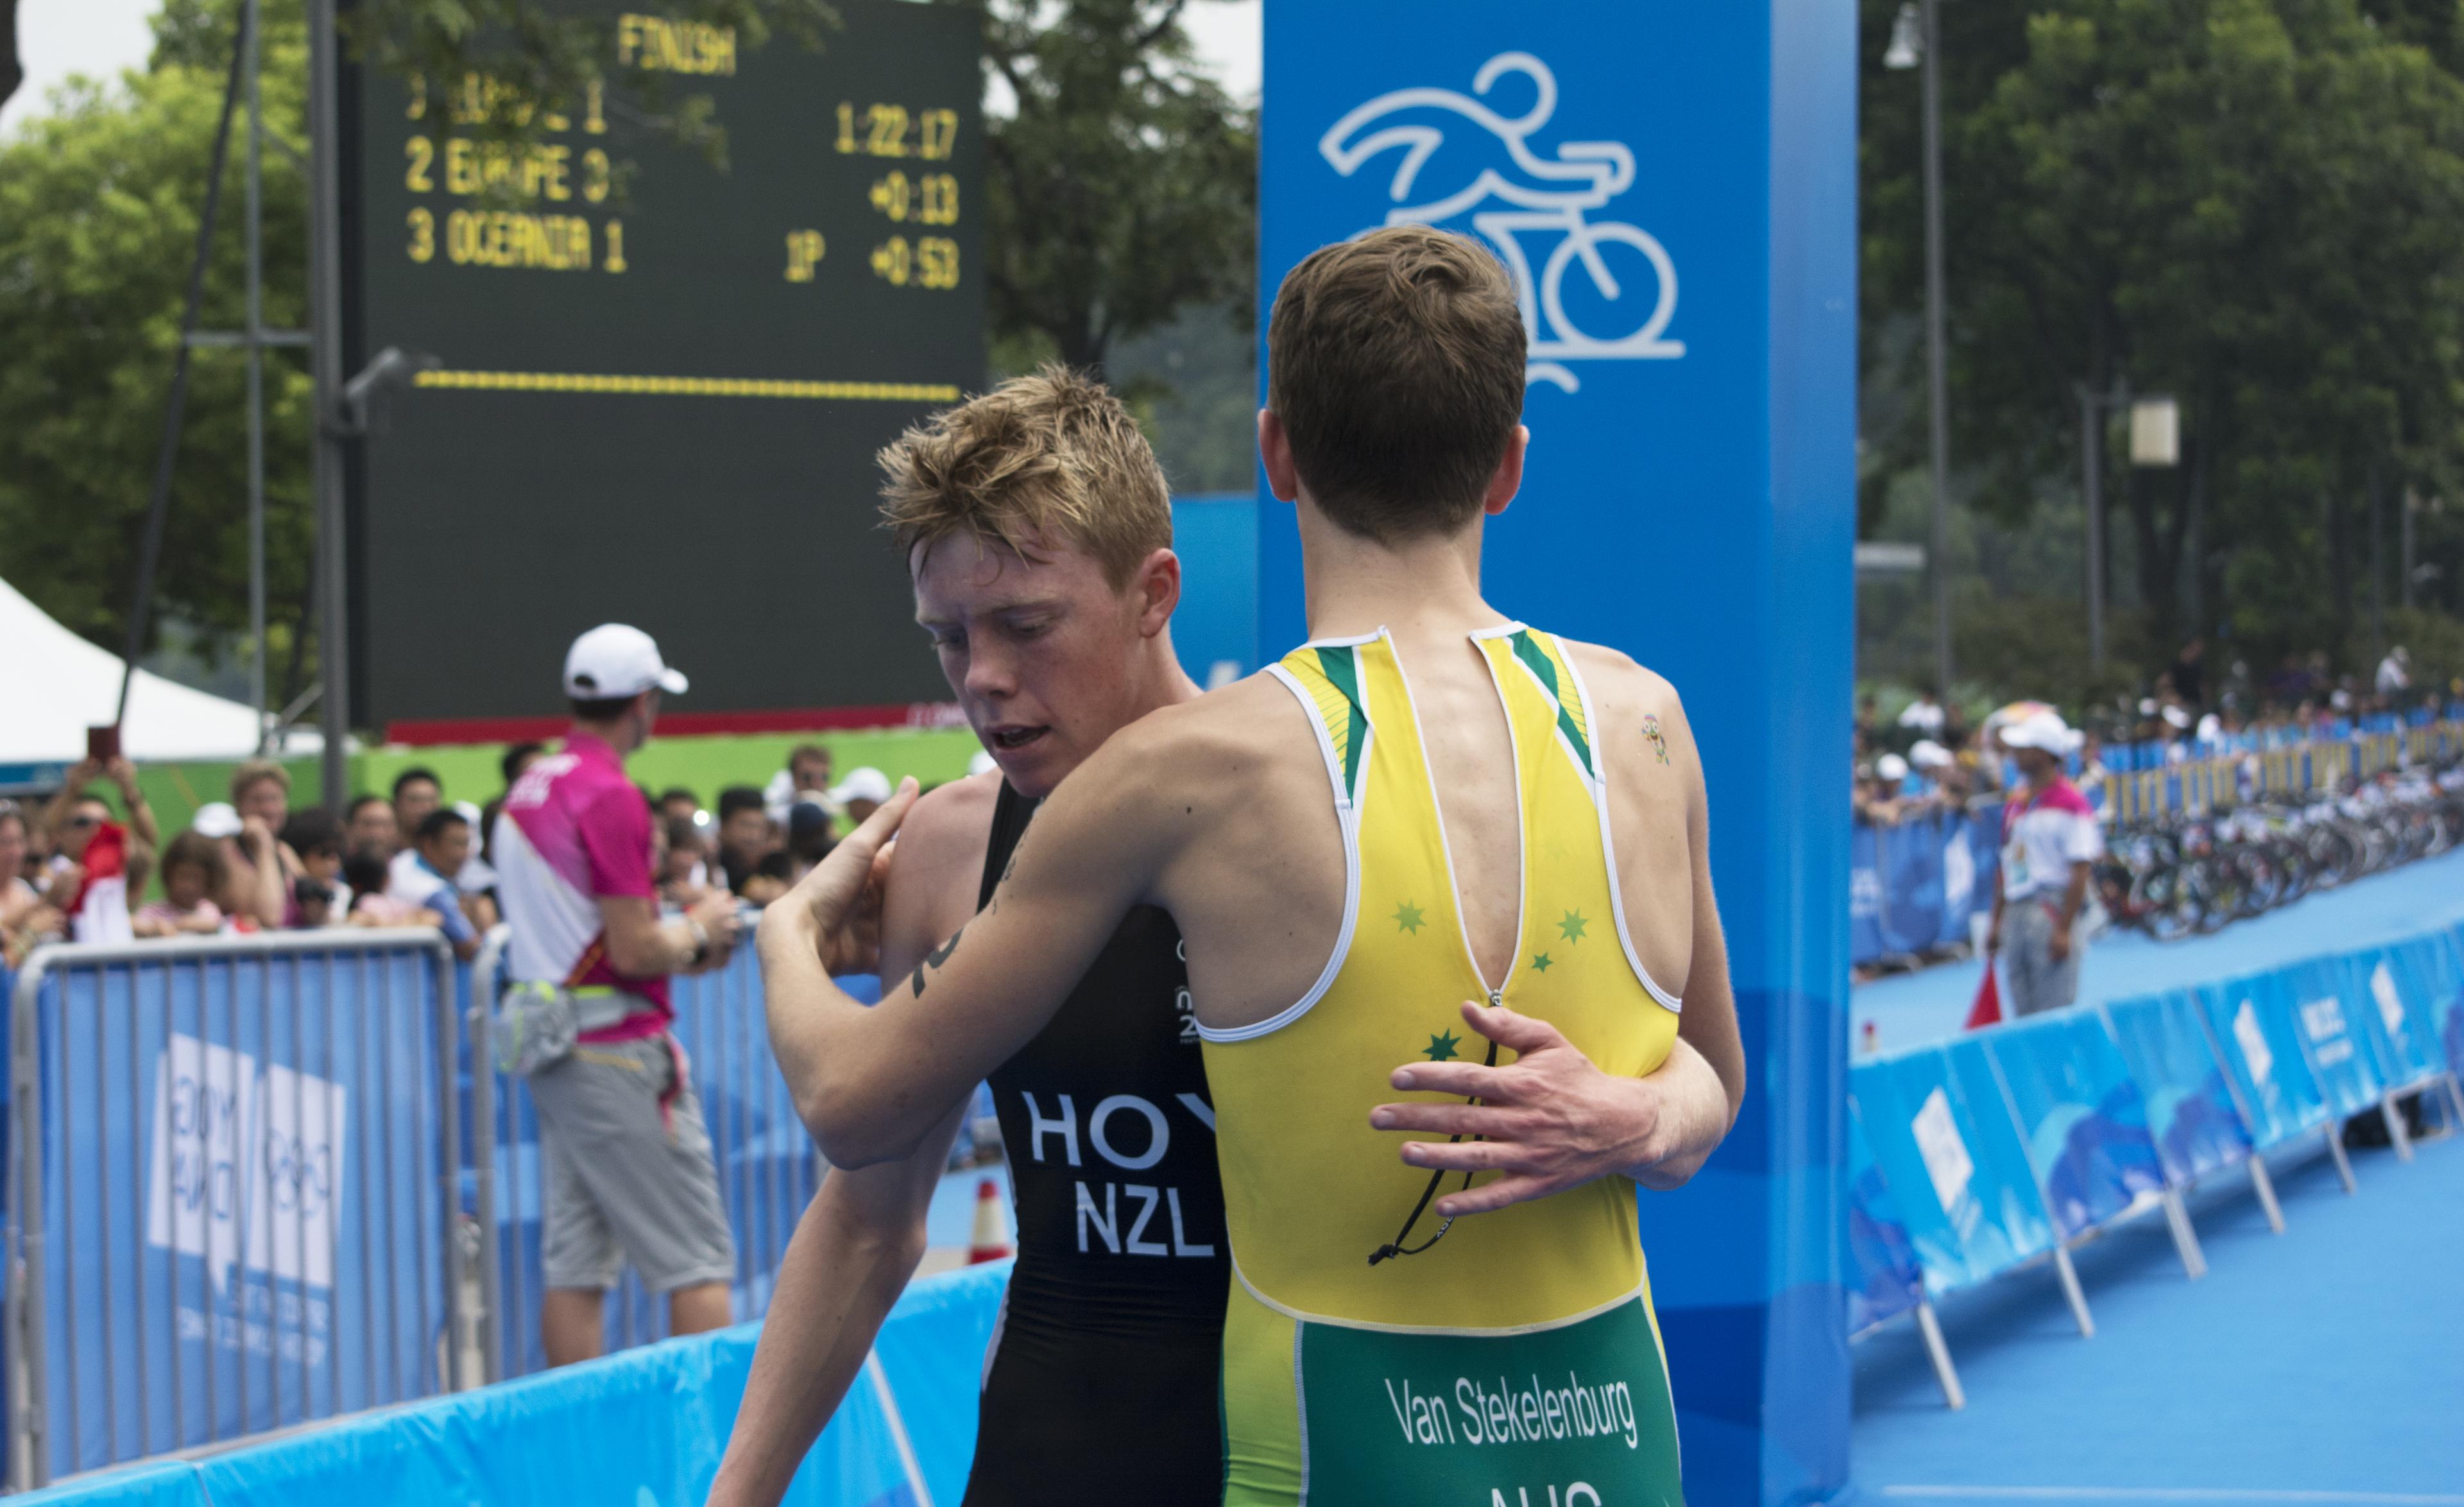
(1546, 196)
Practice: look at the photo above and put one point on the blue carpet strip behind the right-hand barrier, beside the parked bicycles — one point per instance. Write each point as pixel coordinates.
(1911, 1010)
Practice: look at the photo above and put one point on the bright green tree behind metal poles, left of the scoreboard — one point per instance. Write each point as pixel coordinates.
(97, 231)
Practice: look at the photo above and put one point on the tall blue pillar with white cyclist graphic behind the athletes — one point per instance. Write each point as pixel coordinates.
(1674, 189)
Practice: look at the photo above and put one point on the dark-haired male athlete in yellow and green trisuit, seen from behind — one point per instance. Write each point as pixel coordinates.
(1423, 830)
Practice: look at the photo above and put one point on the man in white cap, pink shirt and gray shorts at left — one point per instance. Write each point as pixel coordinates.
(630, 1173)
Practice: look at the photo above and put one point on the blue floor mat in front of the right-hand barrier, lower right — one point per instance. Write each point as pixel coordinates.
(2322, 1365)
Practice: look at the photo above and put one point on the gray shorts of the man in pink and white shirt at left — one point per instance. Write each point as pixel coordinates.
(622, 1180)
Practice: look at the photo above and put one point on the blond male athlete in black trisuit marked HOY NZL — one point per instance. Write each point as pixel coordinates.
(1115, 1308)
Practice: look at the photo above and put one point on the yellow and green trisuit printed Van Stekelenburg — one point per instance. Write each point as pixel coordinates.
(1517, 1360)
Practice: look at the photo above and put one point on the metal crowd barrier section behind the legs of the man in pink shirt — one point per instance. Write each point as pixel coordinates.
(768, 1160)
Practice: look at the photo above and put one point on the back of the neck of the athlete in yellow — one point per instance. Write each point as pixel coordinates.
(1418, 588)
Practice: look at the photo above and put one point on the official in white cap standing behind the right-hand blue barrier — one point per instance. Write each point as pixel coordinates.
(2051, 840)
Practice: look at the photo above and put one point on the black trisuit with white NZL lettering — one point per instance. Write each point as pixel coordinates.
(1117, 1304)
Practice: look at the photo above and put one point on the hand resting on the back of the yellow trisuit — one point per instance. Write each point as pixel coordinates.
(1549, 1121)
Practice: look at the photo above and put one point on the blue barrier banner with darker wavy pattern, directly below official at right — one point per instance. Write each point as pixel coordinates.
(2086, 1123)
